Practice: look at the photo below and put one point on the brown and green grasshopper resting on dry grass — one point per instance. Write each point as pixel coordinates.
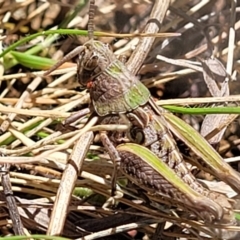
(117, 96)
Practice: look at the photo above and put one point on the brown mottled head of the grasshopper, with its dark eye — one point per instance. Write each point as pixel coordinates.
(92, 61)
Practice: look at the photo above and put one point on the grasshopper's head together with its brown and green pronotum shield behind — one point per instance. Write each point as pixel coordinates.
(113, 88)
